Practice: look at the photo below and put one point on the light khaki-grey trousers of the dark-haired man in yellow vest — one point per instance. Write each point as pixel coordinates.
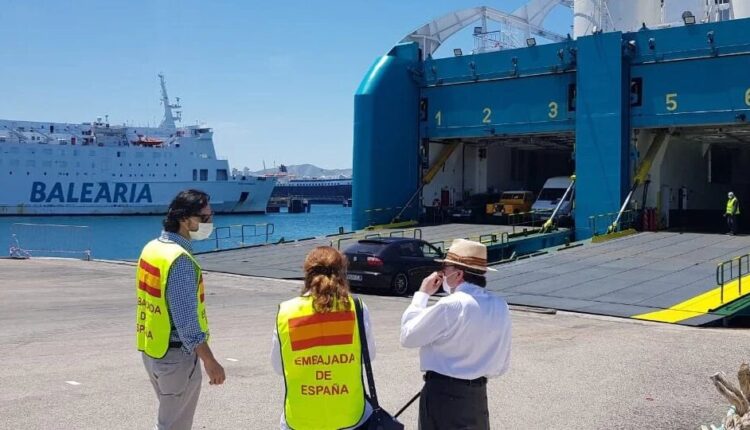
(177, 382)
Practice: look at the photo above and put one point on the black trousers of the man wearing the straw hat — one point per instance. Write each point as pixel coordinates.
(451, 404)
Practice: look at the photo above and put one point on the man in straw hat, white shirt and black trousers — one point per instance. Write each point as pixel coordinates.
(463, 339)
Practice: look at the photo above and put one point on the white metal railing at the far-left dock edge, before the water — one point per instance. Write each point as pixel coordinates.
(50, 240)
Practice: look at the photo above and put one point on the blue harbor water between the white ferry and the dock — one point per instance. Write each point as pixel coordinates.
(123, 237)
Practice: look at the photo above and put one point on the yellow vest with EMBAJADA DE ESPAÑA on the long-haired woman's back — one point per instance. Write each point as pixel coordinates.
(322, 358)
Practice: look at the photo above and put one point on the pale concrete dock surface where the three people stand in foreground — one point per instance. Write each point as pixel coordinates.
(71, 362)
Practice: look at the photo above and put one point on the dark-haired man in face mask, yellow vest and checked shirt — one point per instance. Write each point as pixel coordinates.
(171, 324)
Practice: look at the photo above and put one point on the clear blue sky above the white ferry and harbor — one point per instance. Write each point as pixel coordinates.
(275, 79)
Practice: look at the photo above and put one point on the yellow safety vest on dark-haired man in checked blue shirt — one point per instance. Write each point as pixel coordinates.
(153, 326)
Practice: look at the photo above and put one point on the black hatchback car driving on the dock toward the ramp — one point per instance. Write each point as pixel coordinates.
(393, 263)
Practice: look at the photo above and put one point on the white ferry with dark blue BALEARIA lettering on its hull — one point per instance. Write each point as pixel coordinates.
(96, 168)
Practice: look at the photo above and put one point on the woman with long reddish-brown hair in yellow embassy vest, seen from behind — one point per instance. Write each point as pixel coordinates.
(316, 347)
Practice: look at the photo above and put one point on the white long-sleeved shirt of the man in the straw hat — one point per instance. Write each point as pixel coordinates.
(465, 335)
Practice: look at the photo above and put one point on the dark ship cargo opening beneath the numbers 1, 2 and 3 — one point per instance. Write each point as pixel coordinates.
(480, 170)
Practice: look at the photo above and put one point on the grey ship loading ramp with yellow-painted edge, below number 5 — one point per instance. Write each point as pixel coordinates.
(666, 277)
